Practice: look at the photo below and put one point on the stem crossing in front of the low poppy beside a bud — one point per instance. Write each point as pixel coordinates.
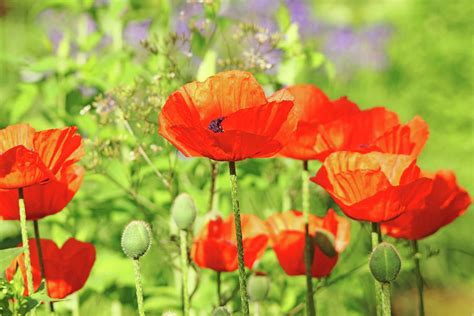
(308, 256)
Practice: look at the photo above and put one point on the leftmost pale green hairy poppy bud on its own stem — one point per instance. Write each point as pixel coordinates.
(136, 239)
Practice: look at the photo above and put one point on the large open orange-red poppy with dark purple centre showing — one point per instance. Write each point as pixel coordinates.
(228, 118)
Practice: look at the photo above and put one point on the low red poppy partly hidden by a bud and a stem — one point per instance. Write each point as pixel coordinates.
(287, 234)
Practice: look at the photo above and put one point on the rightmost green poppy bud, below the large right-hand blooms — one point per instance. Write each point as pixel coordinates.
(385, 262)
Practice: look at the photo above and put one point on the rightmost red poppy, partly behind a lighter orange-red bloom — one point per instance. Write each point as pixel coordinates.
(446, 201)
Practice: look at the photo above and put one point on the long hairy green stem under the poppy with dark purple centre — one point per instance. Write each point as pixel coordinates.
(238, 233)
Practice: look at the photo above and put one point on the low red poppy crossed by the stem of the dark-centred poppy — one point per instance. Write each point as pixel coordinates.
(216, 246)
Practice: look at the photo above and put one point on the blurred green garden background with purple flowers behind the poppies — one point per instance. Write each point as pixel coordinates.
(106, 64)
